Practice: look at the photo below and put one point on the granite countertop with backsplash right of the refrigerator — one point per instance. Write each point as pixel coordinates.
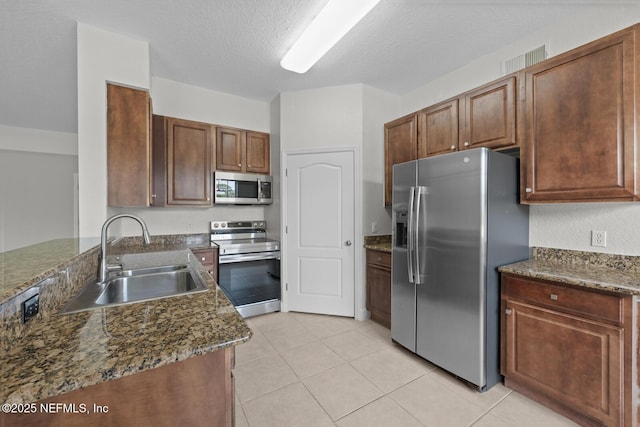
(613, 273)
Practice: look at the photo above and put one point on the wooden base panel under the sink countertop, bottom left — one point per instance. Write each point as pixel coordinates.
(195, 392)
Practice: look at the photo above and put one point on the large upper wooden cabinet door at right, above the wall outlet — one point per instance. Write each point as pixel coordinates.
(581, 123)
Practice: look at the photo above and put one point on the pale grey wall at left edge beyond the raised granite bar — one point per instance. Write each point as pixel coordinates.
(37, 170)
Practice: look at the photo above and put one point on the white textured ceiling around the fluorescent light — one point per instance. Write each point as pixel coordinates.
(235, 46)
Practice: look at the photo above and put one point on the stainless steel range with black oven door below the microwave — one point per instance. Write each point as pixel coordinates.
(248, 266)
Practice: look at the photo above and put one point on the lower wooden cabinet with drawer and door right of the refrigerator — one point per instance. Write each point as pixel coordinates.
(571, 349)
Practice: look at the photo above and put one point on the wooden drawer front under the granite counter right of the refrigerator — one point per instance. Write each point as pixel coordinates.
(562, 298)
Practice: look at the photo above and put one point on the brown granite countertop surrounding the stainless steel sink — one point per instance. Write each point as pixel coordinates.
(64, 352)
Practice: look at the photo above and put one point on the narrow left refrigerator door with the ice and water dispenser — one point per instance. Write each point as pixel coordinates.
(403, 292)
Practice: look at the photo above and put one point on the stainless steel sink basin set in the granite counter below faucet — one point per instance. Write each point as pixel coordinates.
(138, 285)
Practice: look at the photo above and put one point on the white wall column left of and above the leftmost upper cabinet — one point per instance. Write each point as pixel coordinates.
(102, 57)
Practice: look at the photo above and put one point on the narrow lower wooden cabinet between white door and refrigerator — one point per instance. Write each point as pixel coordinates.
(379, 286)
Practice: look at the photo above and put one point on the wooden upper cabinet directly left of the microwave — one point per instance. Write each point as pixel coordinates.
(184, 148)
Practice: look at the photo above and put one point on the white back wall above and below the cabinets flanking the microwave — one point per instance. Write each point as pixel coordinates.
(175, 99)
